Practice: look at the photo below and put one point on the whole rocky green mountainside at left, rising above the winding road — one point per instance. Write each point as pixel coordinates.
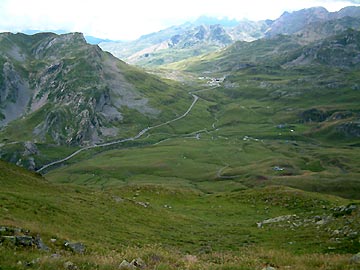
(59, 90)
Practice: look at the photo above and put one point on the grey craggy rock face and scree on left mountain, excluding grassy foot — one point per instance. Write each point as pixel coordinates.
(84, 87)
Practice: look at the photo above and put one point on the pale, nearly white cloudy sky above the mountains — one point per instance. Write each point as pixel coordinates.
(129, 19)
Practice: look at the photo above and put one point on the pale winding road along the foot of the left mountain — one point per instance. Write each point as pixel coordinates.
(142, 132)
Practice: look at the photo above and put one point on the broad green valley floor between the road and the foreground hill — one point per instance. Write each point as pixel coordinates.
(240, 141)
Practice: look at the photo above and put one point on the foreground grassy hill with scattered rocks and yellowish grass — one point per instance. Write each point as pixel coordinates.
(171, 228)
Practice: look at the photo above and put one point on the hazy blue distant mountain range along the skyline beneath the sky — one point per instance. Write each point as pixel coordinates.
(205, 35)
